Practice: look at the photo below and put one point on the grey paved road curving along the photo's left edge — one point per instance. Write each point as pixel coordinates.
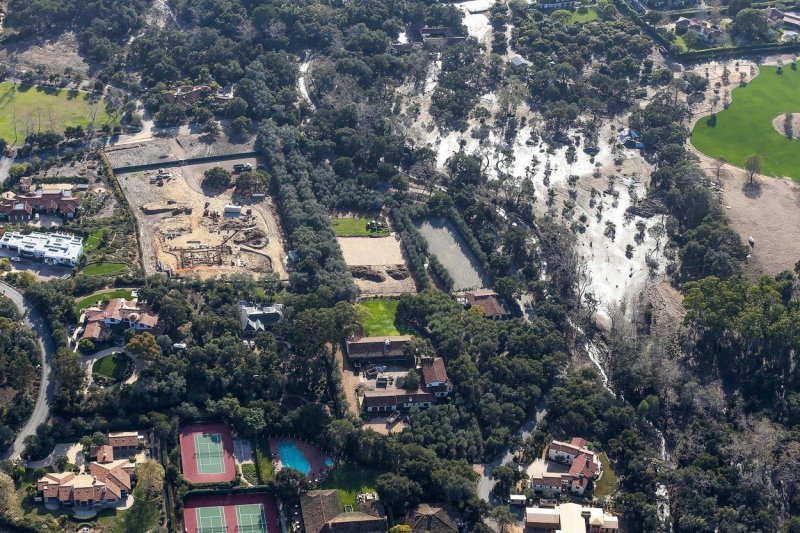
(41, 411)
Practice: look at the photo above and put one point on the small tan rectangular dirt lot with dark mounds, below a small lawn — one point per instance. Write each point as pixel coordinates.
(377, 265)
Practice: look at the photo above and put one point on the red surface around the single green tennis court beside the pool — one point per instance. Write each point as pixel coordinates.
(191, 458)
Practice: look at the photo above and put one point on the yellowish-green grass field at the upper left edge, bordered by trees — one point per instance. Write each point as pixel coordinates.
(35, 108)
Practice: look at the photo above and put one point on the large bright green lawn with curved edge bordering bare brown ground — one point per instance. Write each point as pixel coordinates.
(745, 128)
